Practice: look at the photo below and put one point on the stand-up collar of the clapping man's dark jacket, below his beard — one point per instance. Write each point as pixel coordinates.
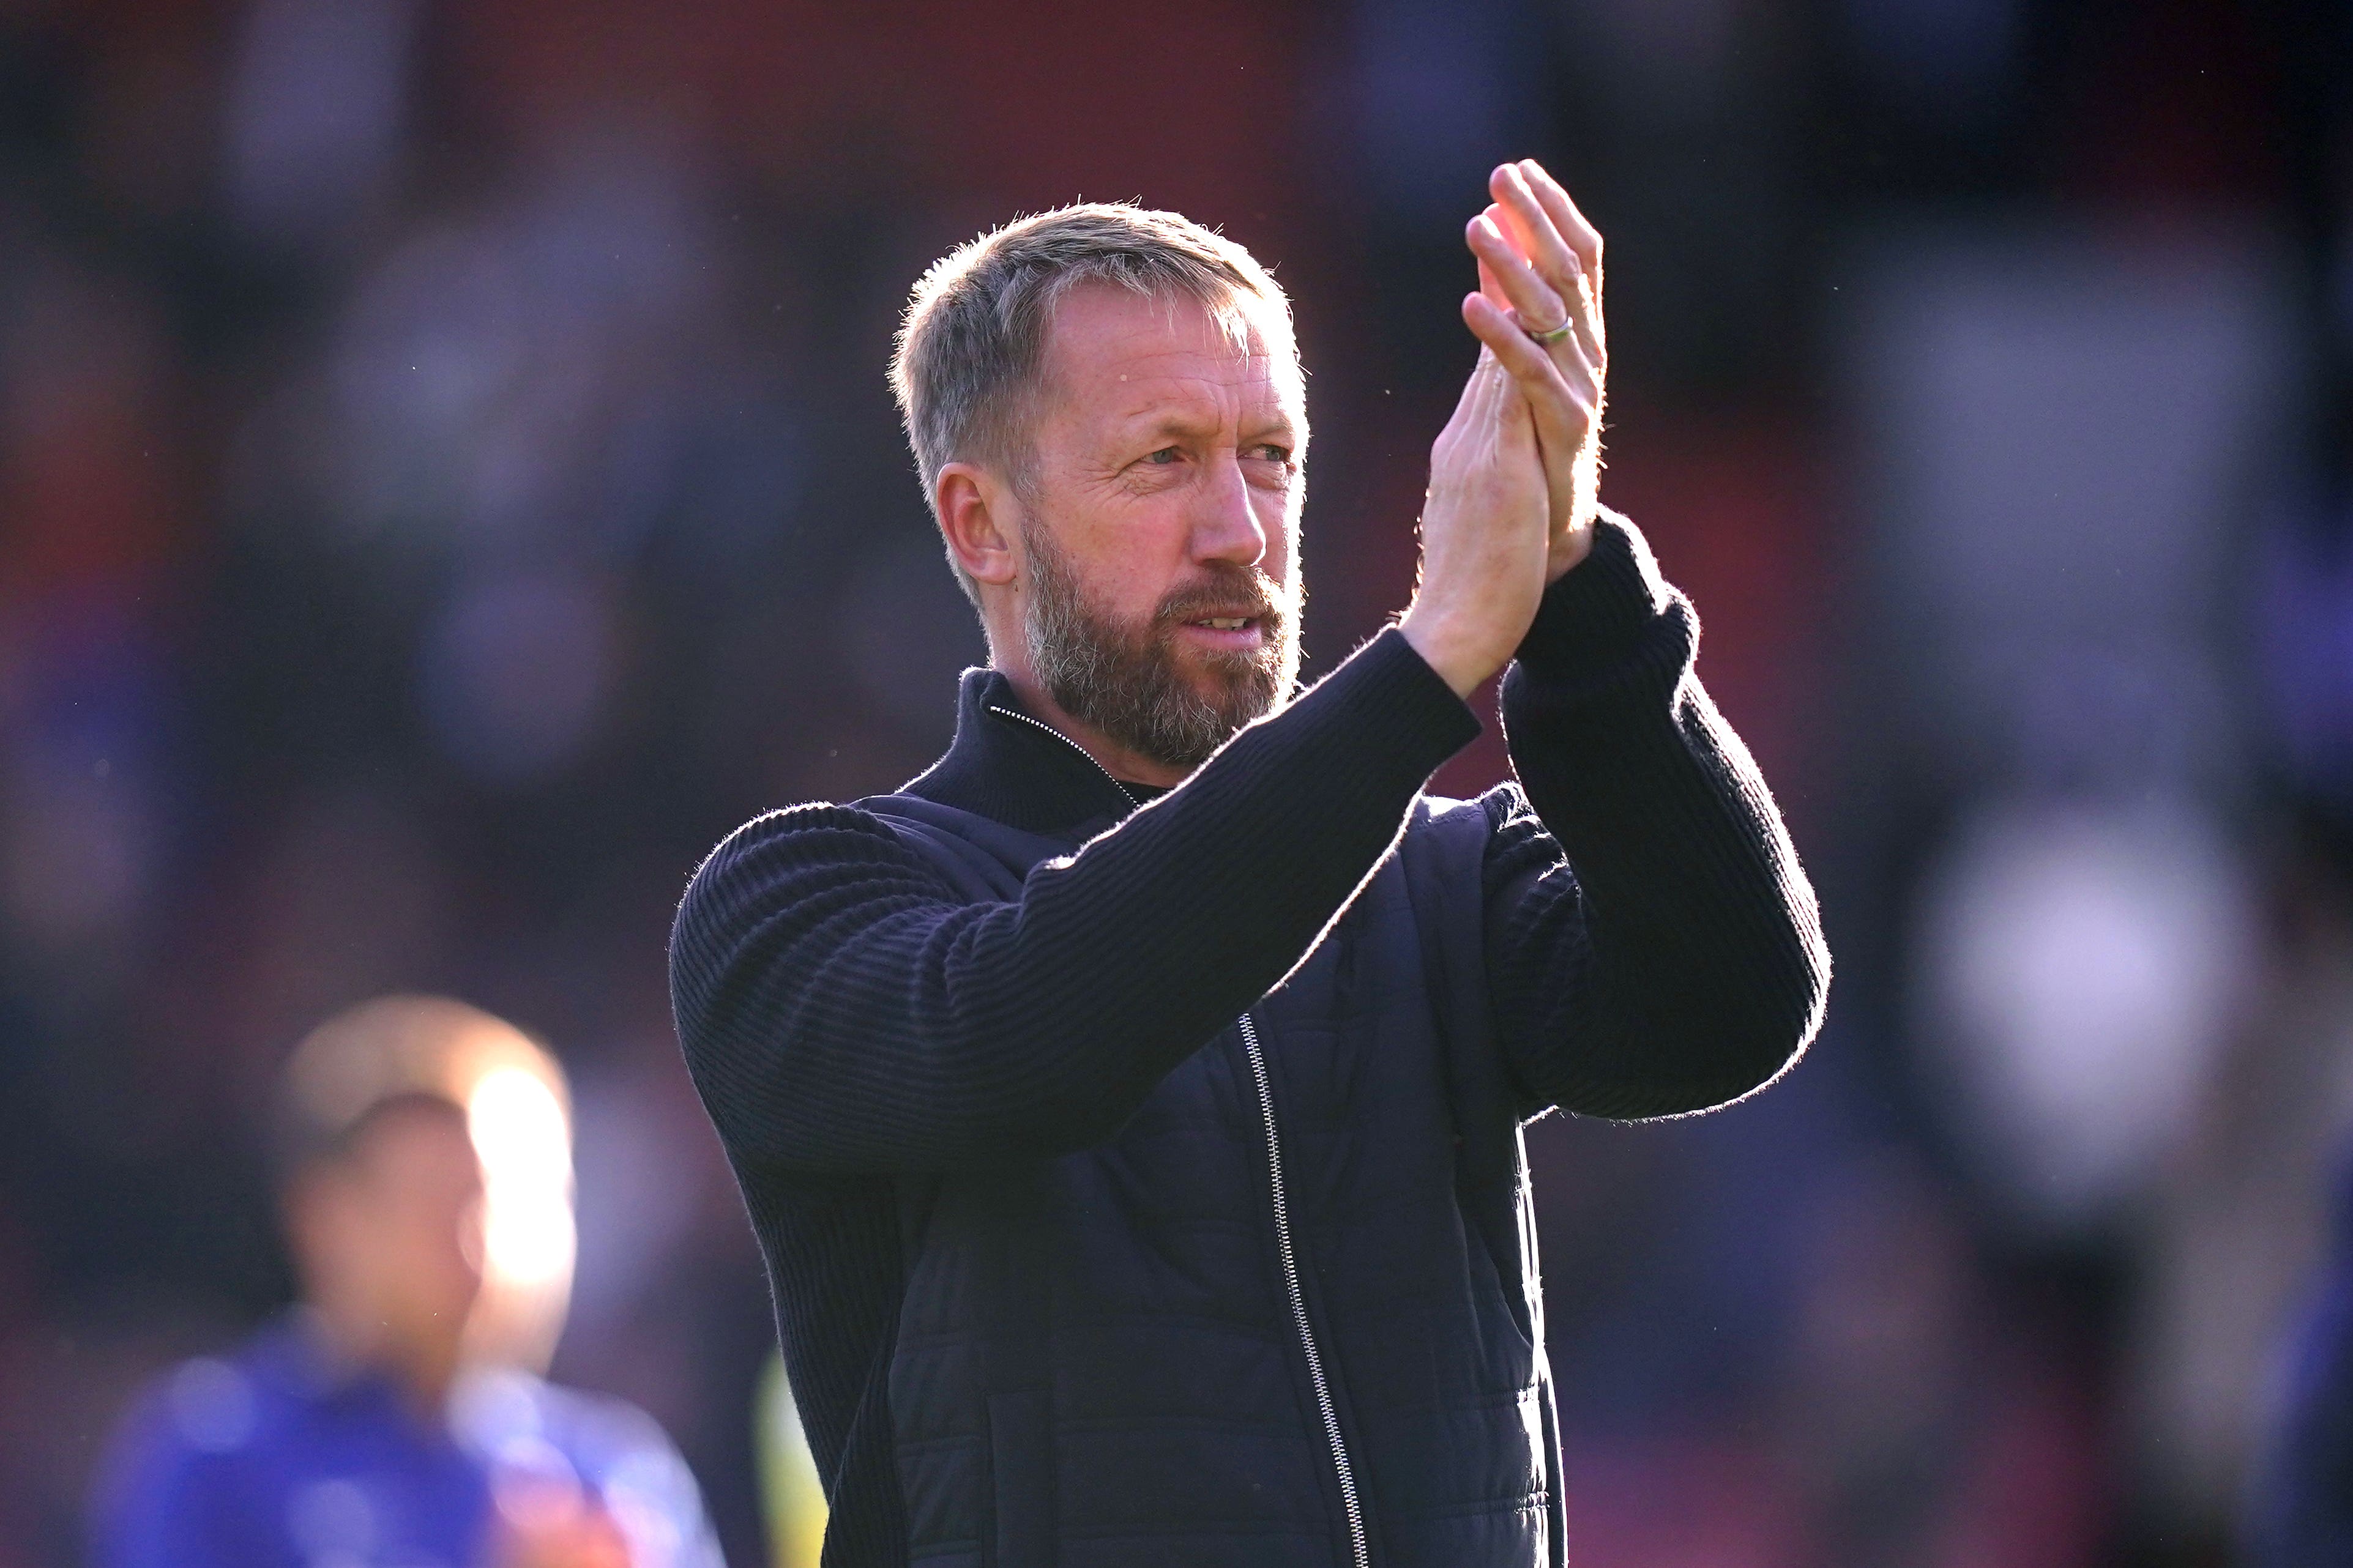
(1018, 770)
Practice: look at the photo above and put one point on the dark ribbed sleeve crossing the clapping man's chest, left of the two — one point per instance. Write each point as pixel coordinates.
(844, 1010)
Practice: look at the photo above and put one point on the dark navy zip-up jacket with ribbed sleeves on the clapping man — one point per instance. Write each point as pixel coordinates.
(1145, 1186)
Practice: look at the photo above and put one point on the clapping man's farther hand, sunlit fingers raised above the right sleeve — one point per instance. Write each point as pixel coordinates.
(1542, 260)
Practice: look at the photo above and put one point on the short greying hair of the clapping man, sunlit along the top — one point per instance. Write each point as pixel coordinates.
(971, 351)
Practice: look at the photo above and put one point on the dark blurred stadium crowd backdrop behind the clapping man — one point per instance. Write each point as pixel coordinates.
(448, 481)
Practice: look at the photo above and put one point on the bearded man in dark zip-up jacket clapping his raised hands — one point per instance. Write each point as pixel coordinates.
(1131, 1106)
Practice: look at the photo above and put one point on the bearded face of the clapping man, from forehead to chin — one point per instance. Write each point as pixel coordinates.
(1161, 523)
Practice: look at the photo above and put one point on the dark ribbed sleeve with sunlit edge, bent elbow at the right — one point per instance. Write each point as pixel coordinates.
(1655, 946)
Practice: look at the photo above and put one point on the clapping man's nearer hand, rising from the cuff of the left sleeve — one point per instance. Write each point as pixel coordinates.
(1486, 523)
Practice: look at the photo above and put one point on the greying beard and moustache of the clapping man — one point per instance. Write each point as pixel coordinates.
(1126, 681)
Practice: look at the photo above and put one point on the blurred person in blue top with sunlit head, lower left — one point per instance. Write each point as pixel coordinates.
(396, 1416)
